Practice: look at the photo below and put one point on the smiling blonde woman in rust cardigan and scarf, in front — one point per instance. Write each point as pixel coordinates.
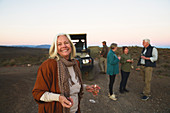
(59, 86)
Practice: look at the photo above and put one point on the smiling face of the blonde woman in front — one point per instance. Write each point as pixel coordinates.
(63, 46)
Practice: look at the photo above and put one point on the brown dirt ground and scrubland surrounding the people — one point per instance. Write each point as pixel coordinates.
(17, 79)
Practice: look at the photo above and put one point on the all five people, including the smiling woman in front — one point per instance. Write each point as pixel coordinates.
(59, 86)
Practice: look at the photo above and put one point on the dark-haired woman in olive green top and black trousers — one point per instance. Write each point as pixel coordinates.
(126, 62)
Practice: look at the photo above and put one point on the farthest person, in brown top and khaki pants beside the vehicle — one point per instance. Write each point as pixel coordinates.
(103, 58)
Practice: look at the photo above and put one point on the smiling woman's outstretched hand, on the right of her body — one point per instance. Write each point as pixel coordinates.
(93, 88)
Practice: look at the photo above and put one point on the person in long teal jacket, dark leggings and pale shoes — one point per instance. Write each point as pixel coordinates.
(112, 68)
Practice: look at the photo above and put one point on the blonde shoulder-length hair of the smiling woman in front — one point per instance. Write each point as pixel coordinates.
(53, 49)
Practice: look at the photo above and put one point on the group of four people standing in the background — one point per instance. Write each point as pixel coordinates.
(109, 64)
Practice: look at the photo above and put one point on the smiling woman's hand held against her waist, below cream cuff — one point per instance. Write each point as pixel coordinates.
(68, 103)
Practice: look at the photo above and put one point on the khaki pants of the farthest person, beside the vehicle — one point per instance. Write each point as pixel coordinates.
(103, 64)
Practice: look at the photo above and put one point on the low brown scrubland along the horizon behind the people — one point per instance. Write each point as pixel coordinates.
(18, 56)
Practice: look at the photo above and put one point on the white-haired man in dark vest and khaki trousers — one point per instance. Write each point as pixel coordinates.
(147, 61)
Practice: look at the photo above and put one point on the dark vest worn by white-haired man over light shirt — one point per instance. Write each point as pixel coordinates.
(148, 53)
